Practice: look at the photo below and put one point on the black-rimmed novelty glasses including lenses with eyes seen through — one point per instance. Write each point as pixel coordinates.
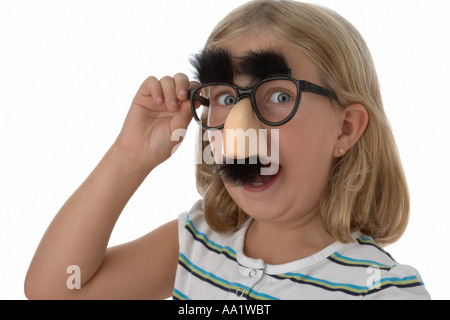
(275, 100)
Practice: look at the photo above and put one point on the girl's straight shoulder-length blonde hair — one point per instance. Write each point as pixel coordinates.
(367, 189)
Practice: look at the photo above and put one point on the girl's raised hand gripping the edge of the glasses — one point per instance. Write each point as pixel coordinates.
(159, 108)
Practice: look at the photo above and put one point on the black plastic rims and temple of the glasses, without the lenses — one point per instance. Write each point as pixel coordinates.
(302, 86)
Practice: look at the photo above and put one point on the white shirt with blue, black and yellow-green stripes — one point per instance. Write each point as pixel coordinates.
(214, 266)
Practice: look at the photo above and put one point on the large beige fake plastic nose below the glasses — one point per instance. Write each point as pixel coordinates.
(243, 136)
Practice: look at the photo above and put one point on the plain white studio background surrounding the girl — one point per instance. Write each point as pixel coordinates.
(68, 72)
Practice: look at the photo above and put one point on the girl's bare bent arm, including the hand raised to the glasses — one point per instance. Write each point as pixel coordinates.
(79, 234)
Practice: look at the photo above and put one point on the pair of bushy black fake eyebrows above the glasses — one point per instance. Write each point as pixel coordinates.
(217, 65)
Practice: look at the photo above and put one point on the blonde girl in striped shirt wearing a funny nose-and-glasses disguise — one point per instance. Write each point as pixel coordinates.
(311, 229)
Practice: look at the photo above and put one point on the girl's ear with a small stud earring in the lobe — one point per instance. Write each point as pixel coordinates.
(354, 120)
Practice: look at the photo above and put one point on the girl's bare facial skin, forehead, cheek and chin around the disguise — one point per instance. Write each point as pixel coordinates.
(307, 144)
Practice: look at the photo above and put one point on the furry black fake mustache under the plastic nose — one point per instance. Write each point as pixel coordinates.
(239, 172)
